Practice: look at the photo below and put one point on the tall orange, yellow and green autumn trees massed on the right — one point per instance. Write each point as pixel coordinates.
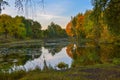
(101, 24)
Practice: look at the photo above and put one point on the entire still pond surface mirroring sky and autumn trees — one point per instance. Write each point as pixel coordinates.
(37, 56)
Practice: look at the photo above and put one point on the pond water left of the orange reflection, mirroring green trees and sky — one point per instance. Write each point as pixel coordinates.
(28, 58)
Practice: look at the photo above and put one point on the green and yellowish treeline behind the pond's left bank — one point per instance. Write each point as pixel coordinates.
(21, 28)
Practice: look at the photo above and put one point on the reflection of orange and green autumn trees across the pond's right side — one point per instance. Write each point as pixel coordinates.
(92, 55)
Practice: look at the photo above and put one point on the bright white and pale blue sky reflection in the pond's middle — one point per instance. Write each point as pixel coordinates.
(49, 58)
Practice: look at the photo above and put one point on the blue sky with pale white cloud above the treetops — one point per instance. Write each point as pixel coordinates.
(58, 11)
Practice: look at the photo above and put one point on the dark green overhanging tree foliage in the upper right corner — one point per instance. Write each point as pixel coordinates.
(111, 16)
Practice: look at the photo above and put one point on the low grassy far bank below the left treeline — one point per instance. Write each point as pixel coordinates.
(33, 42)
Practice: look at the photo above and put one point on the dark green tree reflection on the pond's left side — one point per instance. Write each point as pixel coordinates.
(19, 56)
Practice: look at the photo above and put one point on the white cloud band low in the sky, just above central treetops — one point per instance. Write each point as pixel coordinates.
(45, 20)
